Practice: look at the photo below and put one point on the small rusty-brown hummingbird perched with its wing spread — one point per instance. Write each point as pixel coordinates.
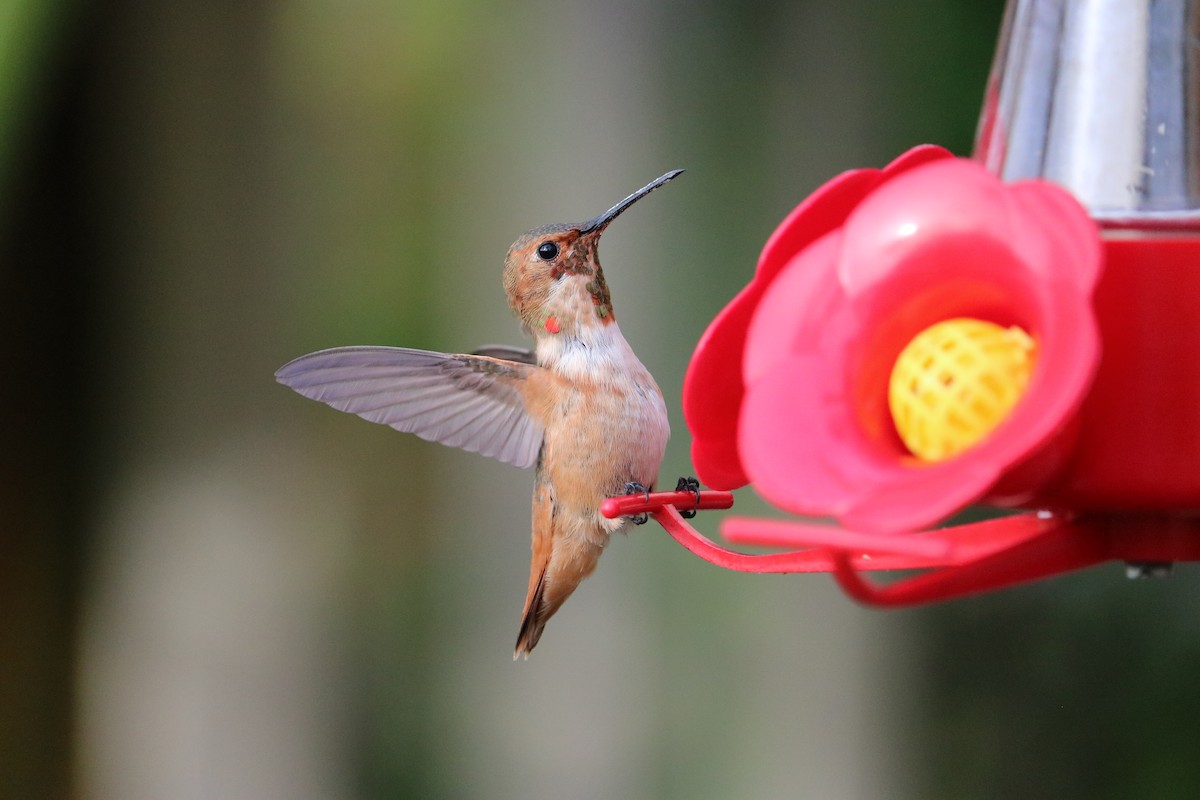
(580, 408)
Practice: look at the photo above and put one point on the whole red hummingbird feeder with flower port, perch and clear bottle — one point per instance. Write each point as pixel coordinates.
(1089, 151)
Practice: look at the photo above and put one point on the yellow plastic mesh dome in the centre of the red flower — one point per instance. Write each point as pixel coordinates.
(956, 382)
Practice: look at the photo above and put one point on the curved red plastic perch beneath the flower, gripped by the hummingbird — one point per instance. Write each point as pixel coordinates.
(958, 562)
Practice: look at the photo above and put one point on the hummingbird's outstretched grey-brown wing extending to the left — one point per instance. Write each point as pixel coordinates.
(465, 401)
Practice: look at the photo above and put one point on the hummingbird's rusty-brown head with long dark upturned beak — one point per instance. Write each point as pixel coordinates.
(553, 274)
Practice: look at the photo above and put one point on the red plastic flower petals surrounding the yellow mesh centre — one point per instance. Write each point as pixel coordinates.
(789, 387)
